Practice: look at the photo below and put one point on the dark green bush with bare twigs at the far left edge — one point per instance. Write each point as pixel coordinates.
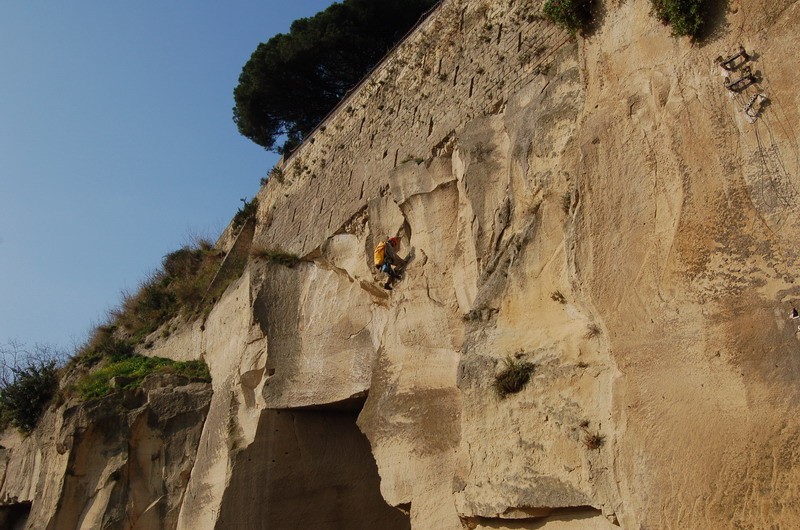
(25, 394)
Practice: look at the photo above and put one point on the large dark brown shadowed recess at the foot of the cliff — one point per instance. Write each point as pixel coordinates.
(308, 468)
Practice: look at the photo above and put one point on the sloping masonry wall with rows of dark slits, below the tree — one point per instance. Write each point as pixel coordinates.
(460, 63)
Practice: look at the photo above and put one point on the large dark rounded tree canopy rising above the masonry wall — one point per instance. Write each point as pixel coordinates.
(293, 80)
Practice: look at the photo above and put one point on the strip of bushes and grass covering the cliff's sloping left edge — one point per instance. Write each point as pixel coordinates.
(30, 379)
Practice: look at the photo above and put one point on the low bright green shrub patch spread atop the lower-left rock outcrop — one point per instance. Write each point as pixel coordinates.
(132, 370)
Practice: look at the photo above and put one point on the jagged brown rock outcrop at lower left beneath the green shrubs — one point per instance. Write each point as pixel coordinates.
(116, 462)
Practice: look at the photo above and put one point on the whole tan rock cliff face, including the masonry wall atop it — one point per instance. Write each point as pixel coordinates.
(602, 208)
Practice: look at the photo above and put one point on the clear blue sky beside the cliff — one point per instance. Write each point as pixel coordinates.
(117, 146)
